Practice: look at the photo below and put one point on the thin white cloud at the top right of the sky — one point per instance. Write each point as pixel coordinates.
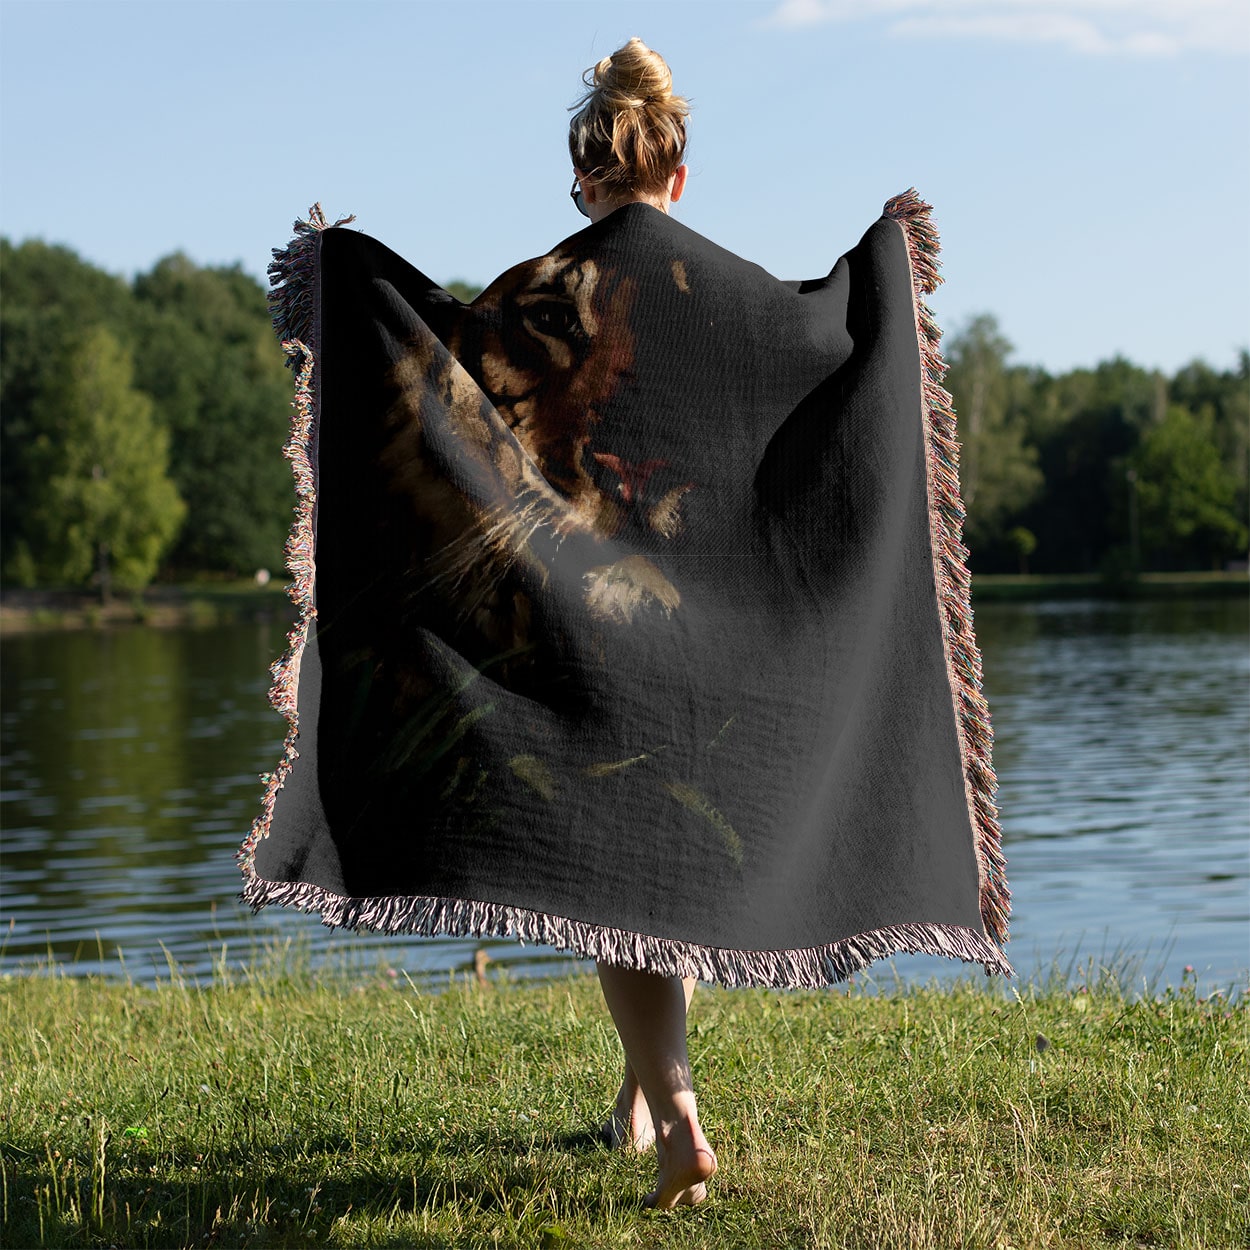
(1098, 28)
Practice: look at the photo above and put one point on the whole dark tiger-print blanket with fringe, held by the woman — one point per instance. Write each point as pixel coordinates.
(634, 617)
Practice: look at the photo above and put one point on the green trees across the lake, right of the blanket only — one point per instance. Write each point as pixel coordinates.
(1116, 469)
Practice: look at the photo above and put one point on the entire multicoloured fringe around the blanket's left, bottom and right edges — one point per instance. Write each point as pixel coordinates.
(296, 317)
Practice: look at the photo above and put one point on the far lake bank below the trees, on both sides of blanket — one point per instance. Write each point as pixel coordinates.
(23, 612)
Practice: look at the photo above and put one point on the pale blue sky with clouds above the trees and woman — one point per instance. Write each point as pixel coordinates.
(1088, 159)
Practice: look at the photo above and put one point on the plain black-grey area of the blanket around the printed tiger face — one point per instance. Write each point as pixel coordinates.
(808, 627)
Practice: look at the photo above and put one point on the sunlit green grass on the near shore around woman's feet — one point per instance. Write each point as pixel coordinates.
(279, 1108)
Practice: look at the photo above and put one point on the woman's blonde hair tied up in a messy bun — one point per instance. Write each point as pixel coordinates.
(631, 131)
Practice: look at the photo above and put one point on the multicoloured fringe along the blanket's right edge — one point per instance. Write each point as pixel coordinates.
(951, 567)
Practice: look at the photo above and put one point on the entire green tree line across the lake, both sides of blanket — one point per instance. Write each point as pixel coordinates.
(141, 426)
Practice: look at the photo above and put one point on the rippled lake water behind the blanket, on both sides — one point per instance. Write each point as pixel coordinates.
(1123, 741)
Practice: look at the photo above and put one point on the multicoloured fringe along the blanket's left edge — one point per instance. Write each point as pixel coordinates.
(293, 304)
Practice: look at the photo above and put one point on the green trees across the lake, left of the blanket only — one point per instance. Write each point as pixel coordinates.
(141, 423)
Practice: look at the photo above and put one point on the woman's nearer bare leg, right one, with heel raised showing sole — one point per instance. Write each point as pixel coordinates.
(651, 1016)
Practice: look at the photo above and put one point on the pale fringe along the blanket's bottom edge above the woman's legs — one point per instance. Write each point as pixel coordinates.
(812, 968)
